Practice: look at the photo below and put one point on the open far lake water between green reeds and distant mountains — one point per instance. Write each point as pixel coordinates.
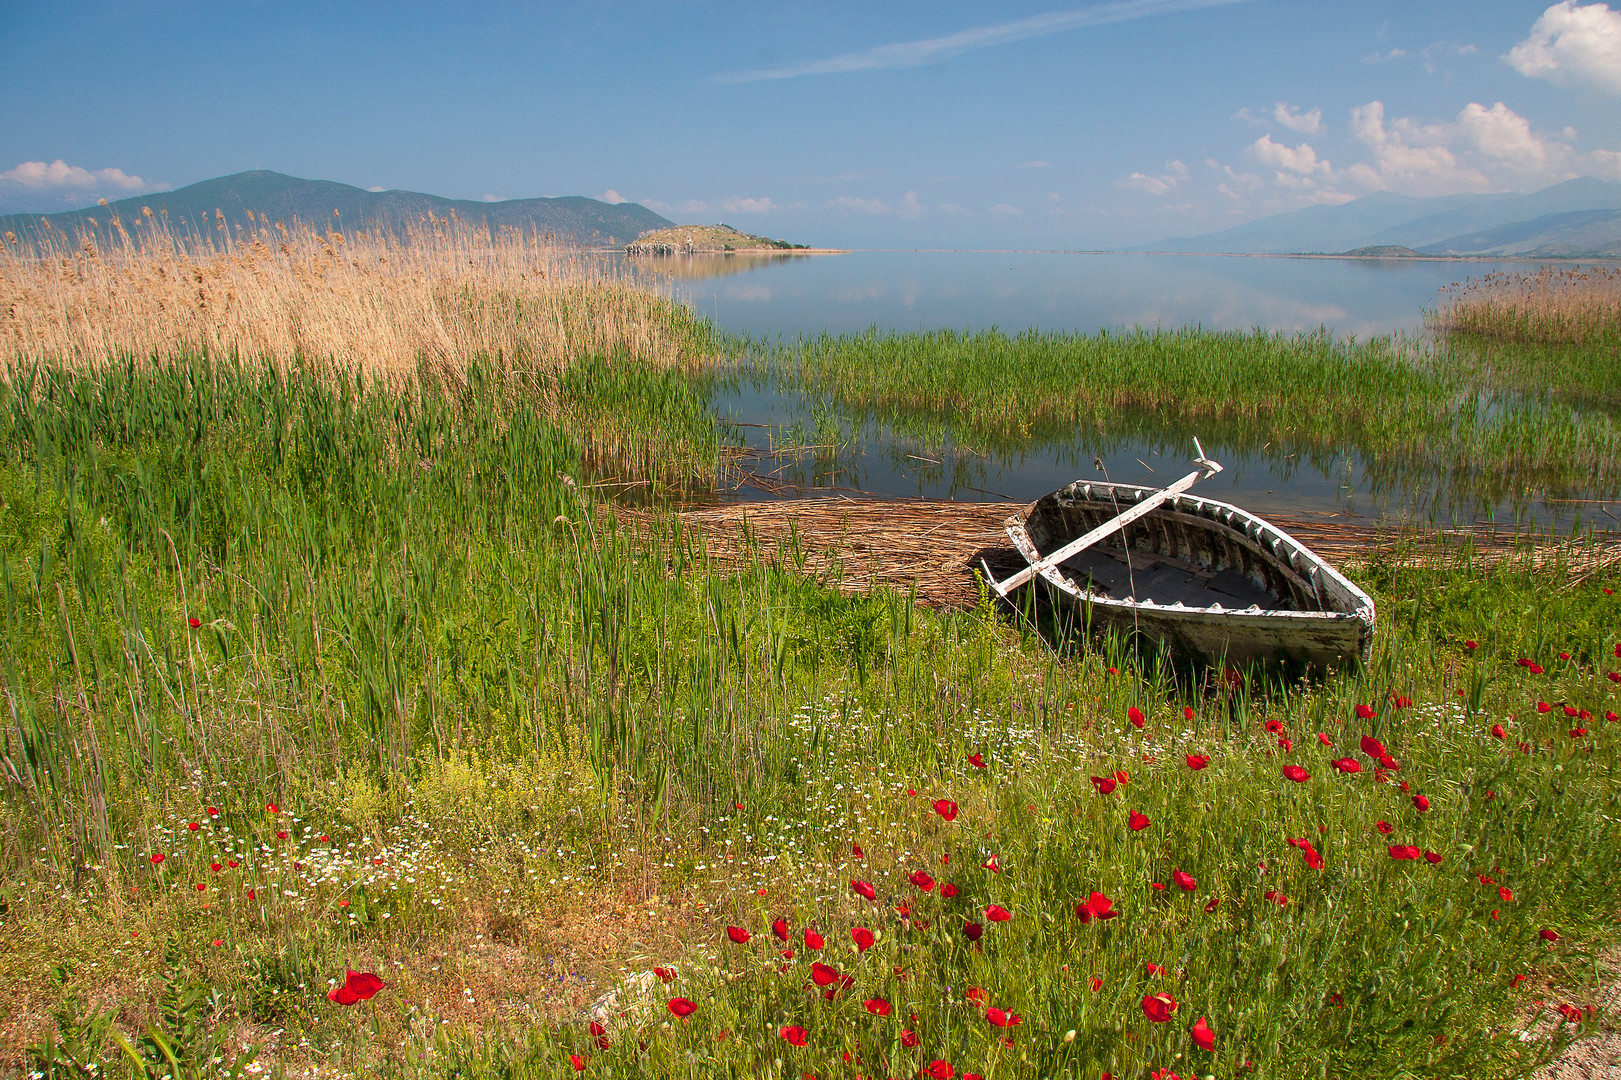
(1017, 291)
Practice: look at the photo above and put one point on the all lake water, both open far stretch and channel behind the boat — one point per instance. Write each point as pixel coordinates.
(1014, 291)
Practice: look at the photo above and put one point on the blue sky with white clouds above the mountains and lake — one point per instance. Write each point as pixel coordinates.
(946, 124)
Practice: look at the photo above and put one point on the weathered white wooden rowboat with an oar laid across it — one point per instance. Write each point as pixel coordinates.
(1208, 580)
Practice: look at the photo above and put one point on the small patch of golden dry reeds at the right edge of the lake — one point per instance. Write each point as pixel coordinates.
(1555, 306)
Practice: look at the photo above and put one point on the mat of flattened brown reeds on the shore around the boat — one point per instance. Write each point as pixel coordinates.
(857, 542)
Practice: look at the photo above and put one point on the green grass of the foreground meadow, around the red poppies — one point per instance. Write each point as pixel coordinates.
(482, 708)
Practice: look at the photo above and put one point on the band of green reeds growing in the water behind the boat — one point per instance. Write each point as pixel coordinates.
(1484, 426)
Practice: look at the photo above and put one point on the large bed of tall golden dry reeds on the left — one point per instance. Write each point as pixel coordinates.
(383, 302)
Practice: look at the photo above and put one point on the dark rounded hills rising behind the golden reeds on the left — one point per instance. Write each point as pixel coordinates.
(278, 197)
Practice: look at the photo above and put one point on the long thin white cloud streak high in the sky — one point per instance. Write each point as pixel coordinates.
(912, 54)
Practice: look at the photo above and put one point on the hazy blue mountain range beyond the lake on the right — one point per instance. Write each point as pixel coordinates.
(1578, 218)
